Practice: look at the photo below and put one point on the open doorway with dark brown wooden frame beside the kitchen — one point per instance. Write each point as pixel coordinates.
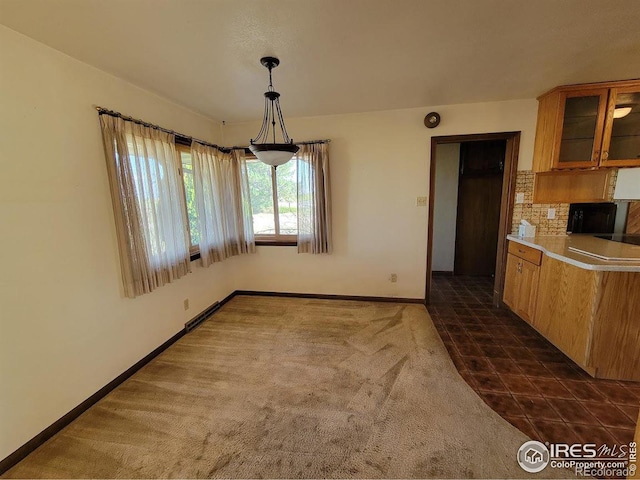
(474, 176)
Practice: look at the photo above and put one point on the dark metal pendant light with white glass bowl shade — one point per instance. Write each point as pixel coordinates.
(273, 154)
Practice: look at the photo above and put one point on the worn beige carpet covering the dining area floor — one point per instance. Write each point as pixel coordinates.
(291, 388)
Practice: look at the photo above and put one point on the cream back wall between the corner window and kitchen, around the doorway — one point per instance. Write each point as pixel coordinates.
(379, 165)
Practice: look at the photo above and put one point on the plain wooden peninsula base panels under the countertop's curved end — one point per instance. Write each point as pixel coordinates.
(592, 316)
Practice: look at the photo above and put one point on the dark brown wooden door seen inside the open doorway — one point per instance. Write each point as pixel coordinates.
(479, 199)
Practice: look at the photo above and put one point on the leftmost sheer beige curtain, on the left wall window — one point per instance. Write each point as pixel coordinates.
(148, 203)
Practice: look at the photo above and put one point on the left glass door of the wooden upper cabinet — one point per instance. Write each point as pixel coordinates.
(579, 141)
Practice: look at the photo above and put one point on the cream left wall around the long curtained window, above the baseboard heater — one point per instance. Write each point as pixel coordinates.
(65, 328)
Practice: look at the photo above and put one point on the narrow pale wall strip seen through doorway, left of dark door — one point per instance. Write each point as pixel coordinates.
(445, 210)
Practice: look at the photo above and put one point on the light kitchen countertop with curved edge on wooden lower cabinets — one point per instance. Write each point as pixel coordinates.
(557, 246)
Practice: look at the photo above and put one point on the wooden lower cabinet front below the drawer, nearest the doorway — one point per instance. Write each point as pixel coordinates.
(521, 286)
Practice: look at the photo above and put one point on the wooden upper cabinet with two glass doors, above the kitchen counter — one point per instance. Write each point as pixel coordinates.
(582, 127)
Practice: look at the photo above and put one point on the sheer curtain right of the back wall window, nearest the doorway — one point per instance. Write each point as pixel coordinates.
(314, 199)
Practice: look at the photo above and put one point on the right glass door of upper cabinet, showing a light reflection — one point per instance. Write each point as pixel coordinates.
(621, 145)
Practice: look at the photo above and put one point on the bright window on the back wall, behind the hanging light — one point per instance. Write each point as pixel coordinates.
(274, 201)
